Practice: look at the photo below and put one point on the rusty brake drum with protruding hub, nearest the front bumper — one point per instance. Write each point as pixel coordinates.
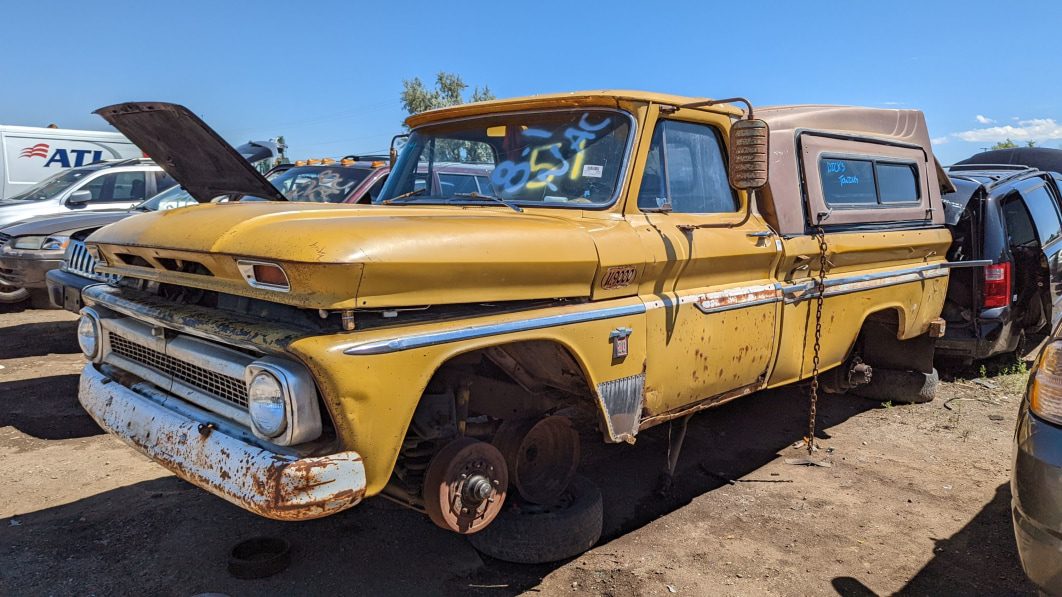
(466, 486)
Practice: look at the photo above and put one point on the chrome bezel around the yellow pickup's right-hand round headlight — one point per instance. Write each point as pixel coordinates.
(302, 412)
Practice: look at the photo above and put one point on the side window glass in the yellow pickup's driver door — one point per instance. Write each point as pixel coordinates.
(687, 172)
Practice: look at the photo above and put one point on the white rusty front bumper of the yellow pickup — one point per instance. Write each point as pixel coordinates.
(276, 486)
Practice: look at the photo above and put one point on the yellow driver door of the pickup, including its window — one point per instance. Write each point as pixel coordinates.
(713, 305)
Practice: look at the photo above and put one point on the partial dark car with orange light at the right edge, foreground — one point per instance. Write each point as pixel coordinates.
(1036, 482)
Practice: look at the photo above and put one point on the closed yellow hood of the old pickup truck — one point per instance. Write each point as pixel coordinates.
(405, 255)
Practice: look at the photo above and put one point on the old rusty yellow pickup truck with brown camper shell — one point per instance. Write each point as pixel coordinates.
(535, 268)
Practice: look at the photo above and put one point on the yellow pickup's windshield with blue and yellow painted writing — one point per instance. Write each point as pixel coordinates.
(546, 159)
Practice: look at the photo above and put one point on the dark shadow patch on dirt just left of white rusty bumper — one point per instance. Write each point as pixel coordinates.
(46, 408)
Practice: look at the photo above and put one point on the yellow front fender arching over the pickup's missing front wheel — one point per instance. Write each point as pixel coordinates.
(372, 397)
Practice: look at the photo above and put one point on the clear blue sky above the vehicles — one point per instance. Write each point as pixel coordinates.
(329, 76)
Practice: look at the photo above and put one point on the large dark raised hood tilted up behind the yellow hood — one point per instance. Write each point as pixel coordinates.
(189, 150)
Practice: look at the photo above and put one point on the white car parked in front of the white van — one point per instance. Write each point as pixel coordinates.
(105, 185)
